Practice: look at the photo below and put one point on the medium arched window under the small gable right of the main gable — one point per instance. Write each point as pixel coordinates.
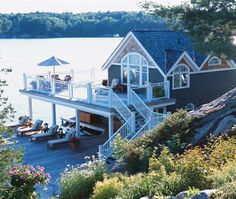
(181, 77)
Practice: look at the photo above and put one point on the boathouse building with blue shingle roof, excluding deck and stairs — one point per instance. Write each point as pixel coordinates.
(165, 57)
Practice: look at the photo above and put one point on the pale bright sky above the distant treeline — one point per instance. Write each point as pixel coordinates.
(75, 6)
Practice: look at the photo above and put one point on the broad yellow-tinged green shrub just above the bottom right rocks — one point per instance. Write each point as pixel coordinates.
(175, 174)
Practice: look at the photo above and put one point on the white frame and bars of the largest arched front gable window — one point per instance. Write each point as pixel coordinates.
(140, 68)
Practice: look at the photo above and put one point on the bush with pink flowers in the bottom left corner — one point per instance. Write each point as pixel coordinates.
(25, 178)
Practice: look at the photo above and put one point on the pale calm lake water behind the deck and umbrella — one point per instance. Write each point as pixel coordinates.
(23, 55)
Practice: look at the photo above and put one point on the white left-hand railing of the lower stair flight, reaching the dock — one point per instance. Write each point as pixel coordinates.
(124, 131)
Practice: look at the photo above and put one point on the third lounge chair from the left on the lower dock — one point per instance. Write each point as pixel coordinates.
(50, 134)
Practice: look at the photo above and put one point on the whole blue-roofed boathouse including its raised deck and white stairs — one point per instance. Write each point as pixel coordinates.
(149, 73)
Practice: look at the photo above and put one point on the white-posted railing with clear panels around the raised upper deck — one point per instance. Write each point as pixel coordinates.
(91, 93)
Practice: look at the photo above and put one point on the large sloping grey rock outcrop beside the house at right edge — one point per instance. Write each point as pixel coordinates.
(214, 118)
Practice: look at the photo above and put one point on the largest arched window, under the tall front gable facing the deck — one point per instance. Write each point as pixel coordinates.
(134, 68)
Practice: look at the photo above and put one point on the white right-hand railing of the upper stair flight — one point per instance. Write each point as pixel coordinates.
(139, 105)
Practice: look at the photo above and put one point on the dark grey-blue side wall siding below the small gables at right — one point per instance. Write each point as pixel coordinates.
(204, 87)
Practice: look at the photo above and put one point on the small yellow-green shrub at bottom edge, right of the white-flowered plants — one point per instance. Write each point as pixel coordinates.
(107, 189)
